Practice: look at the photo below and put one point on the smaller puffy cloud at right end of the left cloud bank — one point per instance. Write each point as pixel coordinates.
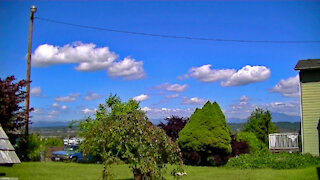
(128, 69)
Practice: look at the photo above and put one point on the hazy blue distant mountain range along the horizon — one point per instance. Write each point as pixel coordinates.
(276, 117)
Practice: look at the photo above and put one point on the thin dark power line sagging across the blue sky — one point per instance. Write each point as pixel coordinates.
(173, 36)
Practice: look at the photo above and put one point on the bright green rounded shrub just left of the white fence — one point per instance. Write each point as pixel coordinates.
(256, 145)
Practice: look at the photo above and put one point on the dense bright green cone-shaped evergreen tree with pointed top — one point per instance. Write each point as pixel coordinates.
(206, 133)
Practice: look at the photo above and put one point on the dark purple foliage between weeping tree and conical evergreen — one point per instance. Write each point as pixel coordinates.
(173, 126)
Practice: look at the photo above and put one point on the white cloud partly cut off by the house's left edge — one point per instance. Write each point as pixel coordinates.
(287, 87)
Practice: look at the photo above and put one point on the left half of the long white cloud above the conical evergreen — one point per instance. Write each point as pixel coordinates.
(205, 74)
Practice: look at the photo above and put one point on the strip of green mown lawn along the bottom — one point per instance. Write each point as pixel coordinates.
(76, 171)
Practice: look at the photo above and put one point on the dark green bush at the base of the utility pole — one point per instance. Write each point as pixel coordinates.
(30, 150)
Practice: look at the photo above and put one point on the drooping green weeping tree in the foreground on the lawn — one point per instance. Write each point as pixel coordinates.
(122, 131)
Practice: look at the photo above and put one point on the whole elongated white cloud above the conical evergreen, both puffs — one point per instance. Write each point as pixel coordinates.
(229, 77)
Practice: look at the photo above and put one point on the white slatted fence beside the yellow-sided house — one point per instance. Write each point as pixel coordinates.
(284, 142)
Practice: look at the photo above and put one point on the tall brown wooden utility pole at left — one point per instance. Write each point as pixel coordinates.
(33, 9)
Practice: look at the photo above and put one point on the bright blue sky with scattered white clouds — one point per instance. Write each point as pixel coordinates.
(74, 69)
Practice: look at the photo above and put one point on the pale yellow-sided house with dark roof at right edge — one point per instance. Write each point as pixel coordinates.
(310, 104)
